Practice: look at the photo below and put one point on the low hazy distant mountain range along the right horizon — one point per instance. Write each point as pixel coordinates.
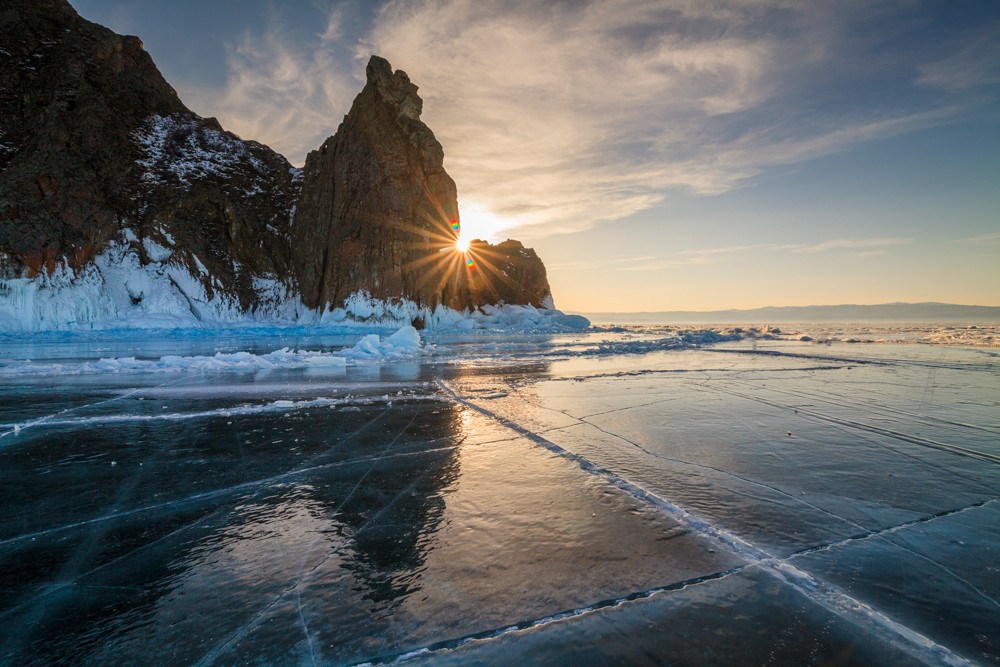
(883, 312)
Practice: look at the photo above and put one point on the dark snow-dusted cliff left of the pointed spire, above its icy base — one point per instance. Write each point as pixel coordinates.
(95, 141)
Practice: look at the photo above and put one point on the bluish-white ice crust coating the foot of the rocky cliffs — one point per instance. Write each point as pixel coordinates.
(118, 290)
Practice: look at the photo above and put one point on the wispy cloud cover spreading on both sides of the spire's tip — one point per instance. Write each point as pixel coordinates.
(559, 116)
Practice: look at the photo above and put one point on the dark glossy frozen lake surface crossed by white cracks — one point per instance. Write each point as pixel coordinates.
(614, 496)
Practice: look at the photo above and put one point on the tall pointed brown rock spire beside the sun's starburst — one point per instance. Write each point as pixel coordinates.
(376, 202)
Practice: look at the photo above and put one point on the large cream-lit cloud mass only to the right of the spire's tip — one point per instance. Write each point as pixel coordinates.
(562, 115)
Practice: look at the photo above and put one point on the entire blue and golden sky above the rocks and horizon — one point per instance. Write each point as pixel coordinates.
(658, 155)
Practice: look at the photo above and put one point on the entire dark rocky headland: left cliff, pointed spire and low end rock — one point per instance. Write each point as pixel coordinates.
(96, 148)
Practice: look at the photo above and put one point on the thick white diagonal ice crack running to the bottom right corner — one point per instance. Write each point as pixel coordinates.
(826, 595)
